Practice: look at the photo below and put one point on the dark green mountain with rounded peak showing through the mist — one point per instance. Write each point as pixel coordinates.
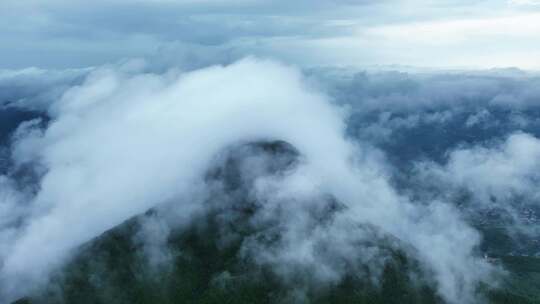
(204, 261)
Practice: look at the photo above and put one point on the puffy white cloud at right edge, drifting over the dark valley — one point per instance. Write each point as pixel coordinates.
(501, 175)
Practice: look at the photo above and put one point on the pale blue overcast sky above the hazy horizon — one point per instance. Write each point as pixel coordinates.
(443, 33)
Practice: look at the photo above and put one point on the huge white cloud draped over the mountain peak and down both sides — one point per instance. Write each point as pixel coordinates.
(124, 141)
